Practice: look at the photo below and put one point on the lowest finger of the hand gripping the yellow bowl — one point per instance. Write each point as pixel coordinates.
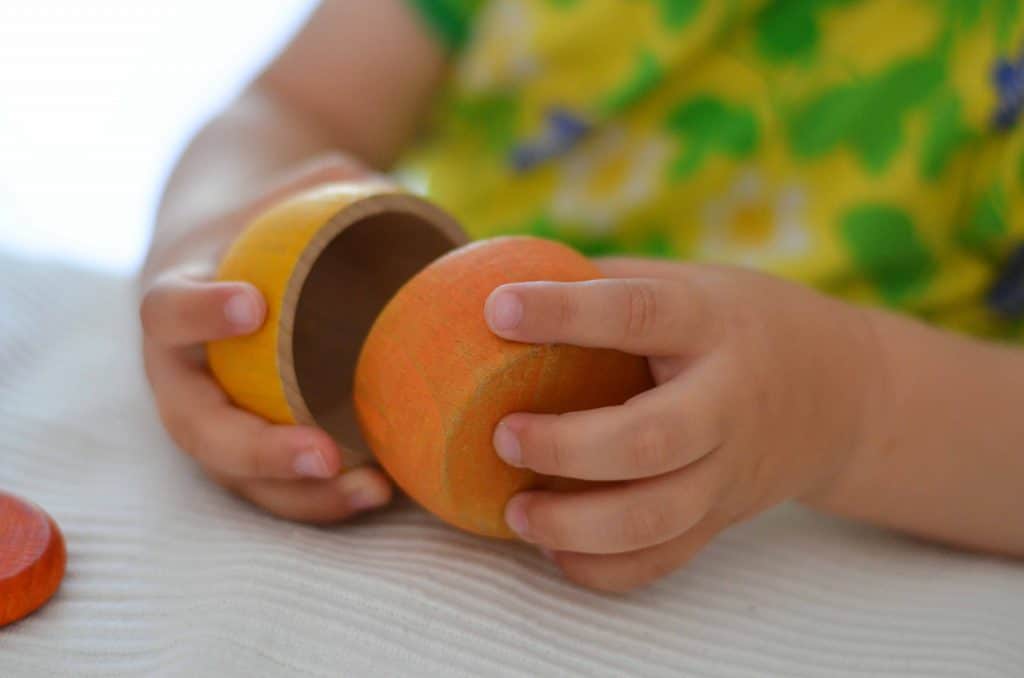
(319, 502)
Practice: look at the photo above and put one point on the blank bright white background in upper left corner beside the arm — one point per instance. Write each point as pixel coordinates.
(97, 101)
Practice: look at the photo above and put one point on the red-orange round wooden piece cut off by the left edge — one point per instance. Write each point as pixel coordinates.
(32, 559)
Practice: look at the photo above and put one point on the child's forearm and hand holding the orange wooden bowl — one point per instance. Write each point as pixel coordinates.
(766, 392)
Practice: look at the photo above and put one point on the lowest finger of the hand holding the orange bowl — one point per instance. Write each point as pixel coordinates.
(620, 573)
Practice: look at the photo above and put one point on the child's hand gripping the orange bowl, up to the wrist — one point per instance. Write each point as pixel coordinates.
(763, 394)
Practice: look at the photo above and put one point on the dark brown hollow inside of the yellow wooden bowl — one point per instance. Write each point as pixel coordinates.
(355, 271)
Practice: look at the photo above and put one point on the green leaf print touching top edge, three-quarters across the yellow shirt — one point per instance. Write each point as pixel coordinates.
(788, 30)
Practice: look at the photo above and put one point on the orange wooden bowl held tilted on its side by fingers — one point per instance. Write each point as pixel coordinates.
(433, 380)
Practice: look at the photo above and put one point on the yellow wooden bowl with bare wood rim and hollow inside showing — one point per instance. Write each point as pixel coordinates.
(327, 262)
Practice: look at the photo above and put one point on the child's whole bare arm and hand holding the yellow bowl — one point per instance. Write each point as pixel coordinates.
(346, 94)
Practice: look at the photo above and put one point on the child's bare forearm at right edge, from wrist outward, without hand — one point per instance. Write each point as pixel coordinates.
(944, 452)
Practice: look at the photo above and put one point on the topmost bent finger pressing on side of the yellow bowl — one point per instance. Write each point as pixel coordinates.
(178, 312)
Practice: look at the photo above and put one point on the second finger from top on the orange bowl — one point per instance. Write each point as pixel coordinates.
(654, 434)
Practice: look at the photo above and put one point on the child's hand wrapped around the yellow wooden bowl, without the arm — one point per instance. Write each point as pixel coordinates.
(292, 472)
